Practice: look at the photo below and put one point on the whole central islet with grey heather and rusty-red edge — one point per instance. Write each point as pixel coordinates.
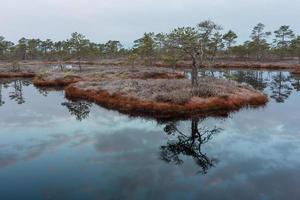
(167, 98)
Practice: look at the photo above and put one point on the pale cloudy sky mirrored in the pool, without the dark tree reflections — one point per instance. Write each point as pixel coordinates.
(257, 151)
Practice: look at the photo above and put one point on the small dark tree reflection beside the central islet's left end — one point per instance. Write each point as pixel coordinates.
(79, 109)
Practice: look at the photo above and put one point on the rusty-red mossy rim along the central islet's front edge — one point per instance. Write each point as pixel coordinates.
(135, 106)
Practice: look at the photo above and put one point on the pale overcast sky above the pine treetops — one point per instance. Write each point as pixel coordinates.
(126, 20)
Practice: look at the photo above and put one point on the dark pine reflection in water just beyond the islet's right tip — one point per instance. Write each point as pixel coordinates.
(280, 87)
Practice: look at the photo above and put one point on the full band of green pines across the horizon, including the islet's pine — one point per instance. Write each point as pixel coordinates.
(203, 44)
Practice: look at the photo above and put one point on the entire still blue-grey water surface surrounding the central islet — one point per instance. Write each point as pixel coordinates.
(51, 148)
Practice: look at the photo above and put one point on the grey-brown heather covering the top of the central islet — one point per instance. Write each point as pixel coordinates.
(176, 91)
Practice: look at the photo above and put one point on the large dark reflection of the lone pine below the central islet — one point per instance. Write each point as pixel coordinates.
(188, 145)
